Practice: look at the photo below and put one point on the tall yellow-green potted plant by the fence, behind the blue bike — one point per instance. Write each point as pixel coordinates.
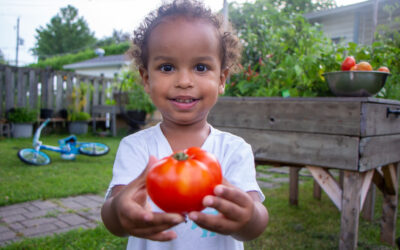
(77, 118)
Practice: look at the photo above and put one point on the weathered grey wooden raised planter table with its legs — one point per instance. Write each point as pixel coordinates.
(359, 136)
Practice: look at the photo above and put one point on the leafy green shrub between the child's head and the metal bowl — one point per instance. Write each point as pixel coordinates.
(283, 54)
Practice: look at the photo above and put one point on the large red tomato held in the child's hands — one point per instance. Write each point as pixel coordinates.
(178, 183)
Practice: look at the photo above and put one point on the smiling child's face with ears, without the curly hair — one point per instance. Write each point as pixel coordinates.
(184, 75)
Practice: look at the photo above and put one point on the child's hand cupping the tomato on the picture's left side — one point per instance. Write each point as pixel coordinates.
(133, 214)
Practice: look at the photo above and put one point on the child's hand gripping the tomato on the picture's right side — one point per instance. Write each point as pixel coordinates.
(241, 214)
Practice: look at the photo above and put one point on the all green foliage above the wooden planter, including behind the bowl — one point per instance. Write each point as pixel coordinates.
(284, 53)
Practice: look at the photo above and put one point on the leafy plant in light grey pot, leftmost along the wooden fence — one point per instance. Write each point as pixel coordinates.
(21, 120)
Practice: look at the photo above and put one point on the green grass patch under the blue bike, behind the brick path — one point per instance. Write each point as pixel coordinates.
(20, 182)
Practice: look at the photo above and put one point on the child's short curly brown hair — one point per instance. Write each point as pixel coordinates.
(230, 45)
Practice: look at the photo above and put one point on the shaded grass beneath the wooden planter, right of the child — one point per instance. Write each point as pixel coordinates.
(313, 224)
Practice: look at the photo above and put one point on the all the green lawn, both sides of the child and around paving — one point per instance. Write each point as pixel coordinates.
(313, 224)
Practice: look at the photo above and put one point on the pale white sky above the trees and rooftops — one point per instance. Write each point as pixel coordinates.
(102, 16)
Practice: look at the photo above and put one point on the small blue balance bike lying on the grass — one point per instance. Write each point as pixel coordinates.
(68, 147)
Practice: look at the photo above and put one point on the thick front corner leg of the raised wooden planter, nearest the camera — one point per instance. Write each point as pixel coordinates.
(351, 196)
